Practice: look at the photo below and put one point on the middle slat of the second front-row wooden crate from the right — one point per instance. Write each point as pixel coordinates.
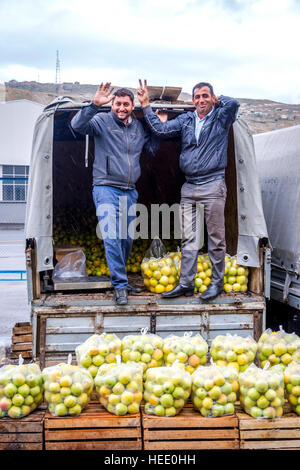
(186, 434)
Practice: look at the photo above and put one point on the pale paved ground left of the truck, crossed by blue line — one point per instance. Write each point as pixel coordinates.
(13, 294)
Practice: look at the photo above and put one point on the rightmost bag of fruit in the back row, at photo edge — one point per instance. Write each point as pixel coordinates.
(278, 347)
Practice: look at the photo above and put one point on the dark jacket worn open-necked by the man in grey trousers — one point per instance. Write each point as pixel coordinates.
(206, 158)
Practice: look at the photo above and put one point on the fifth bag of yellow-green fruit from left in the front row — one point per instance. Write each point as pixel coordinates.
(214, 390)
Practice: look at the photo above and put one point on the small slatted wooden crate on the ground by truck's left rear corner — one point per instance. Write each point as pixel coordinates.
(21, 341)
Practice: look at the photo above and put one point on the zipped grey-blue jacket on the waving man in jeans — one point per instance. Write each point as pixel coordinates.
(117, 147)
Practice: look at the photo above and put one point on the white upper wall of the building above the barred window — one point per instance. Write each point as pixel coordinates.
(17, 121)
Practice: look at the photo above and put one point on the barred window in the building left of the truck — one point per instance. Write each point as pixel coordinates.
(14, 182)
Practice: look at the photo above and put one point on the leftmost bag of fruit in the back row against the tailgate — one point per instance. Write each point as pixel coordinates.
(98, 350)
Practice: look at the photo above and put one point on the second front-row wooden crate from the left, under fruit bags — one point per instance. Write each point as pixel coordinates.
(94, 429)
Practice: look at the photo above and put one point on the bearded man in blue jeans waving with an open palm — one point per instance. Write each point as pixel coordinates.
(119, 141)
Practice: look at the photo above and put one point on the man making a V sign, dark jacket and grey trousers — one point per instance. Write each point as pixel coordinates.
(203, 159)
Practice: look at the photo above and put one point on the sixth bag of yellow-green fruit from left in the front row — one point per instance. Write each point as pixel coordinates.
(262, 391)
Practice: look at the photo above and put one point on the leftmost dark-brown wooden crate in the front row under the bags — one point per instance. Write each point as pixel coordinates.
(24, 433)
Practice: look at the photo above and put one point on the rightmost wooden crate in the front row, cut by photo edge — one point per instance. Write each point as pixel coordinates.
(277, 434)
